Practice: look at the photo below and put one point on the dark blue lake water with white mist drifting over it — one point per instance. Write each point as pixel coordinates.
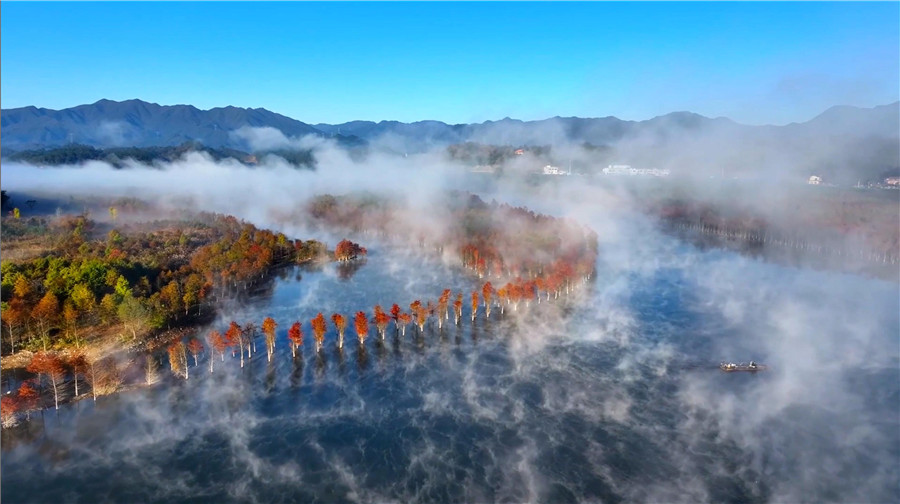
(612, 394)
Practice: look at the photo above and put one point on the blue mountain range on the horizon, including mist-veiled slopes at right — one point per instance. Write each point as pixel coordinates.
(838, 137)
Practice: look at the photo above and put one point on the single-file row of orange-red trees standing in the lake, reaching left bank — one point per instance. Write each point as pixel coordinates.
(72, 373)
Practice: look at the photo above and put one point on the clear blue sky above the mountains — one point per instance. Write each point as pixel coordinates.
(757, 63)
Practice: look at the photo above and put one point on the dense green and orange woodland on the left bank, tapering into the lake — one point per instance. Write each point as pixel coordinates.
(145, 280)
